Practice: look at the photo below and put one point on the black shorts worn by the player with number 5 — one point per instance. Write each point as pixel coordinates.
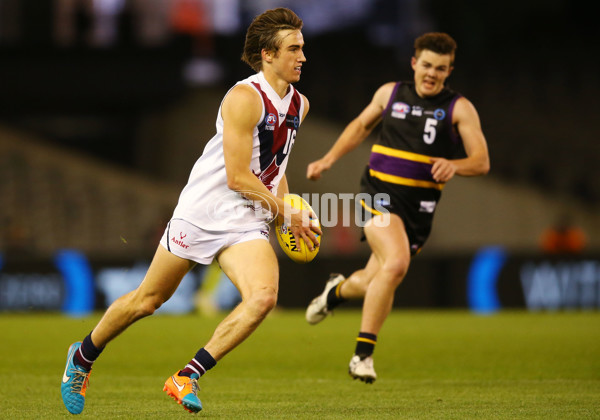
(415, 206)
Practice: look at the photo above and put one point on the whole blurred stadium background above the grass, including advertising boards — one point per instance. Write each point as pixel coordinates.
(107, 104)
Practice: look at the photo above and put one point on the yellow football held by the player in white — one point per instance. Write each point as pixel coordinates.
(297, 251)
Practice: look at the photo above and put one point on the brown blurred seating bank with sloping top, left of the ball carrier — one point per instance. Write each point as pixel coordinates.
(53, 199)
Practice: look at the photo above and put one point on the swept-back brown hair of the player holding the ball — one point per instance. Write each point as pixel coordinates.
(263, 34)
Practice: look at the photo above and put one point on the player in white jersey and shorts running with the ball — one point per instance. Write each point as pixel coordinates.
(234, 190)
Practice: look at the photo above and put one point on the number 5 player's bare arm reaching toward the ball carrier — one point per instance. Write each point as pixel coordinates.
(354, 133)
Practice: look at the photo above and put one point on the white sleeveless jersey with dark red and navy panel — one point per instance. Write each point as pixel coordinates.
(207, 202)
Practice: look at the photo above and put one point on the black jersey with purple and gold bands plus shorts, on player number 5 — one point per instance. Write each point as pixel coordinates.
(413, 130)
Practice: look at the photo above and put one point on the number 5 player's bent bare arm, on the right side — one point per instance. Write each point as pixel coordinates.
(477, 162)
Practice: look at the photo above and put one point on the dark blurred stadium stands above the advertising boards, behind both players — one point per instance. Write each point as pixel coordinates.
(107, 104)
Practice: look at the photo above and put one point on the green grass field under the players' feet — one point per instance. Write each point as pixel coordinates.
(431, 365)
